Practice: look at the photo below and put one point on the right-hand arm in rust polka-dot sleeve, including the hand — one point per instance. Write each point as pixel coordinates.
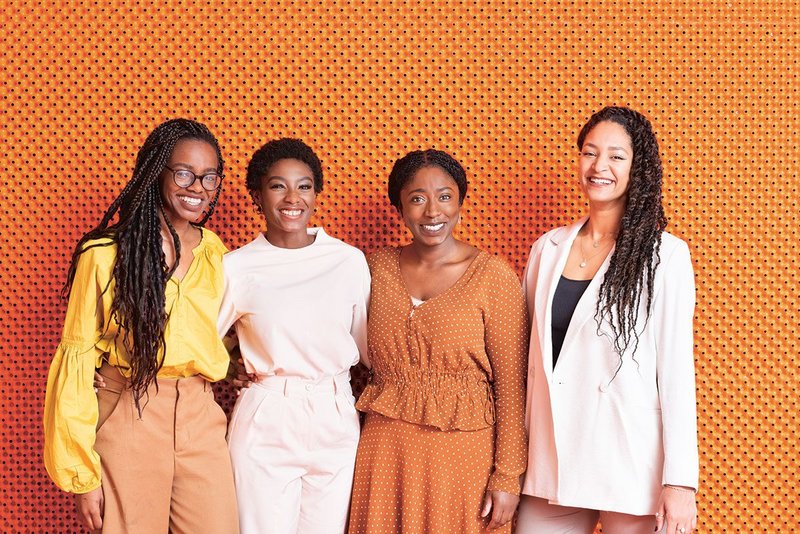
(506, 334)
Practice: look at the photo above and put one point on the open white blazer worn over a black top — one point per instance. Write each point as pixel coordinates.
(597, 440)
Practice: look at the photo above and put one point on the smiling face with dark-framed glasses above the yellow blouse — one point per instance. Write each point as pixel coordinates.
(187, 204)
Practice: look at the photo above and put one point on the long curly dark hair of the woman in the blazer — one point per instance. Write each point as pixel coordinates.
(633, 265)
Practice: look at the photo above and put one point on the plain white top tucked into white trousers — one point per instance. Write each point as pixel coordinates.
(297, 312)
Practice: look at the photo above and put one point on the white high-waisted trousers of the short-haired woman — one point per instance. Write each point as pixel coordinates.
(293, 447)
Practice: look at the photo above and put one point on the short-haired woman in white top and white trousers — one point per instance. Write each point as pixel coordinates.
(297, 299)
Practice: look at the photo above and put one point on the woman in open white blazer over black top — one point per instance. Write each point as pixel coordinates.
(611, 386)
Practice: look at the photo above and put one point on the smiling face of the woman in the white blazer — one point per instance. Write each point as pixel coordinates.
(605, 165)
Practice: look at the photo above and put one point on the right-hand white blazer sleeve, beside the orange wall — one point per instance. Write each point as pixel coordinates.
(673, 313)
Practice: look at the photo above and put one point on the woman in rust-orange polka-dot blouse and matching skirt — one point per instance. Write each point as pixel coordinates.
(444, 444)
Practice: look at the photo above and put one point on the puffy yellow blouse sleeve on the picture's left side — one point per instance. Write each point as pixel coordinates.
(70, 406)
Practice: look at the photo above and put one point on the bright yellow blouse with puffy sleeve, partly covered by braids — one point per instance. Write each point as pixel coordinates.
(192, 348)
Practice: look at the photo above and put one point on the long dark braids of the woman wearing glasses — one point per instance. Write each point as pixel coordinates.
(140, 270)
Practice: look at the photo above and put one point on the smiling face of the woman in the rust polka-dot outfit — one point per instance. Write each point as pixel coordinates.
(430, 206)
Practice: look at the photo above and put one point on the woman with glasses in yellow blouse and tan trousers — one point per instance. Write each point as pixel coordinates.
(146, 453)
